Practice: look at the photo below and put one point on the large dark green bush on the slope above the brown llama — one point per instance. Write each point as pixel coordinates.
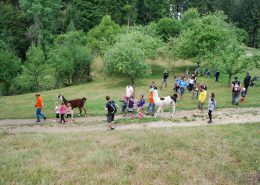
(71, 58)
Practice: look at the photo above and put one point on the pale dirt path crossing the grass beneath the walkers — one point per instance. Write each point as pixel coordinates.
(181, 119)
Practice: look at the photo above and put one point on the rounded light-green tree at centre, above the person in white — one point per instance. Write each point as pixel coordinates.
(127, 56)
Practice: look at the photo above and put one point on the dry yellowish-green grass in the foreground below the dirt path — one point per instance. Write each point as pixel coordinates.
(196, 155)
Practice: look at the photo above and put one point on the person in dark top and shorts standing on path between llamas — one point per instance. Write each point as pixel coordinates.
(110, 113)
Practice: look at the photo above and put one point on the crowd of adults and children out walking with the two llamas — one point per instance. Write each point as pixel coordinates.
(129, 104)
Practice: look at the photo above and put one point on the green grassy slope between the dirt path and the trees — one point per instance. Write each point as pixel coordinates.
(22, 106)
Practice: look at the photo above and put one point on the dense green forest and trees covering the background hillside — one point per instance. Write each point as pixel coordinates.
(51, 43)
